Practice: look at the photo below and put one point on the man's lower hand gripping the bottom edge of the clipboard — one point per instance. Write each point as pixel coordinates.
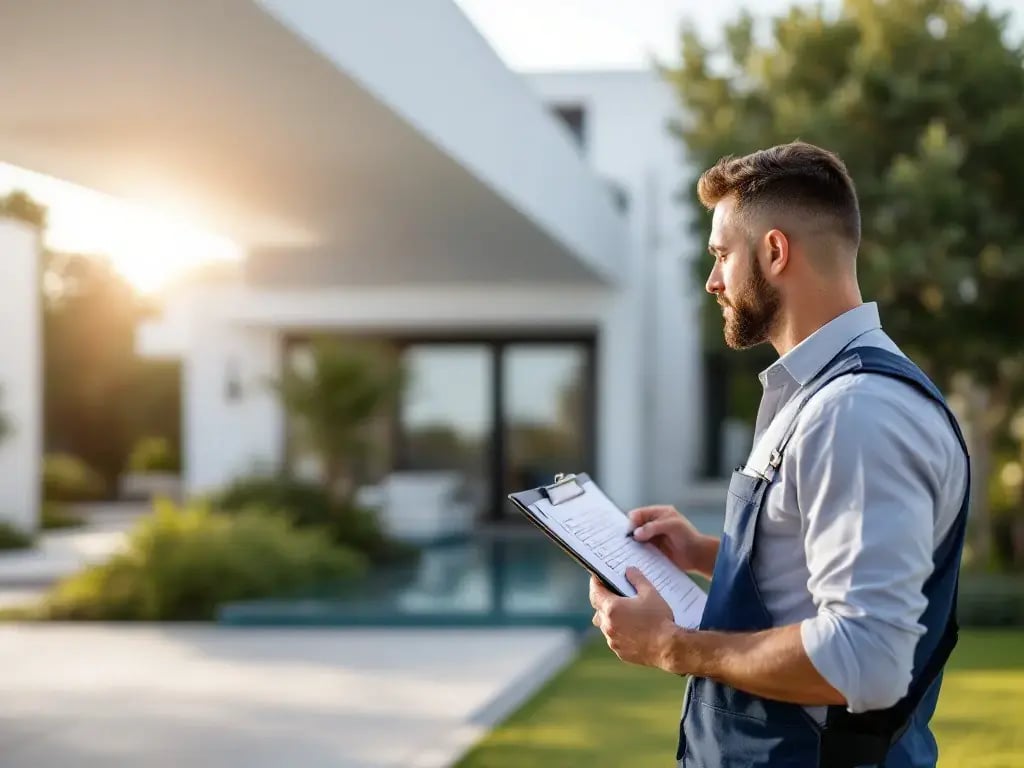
(638, 630)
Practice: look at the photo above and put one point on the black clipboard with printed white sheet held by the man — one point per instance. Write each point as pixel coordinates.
(587, 526)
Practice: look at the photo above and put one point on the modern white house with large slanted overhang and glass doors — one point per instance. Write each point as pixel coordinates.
(517, 238)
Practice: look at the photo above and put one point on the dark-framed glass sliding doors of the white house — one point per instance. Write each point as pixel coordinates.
(503, 414)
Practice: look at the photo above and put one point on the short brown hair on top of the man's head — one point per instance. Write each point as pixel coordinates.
(794, 176)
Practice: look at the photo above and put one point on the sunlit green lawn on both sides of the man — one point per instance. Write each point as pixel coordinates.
(601, 713)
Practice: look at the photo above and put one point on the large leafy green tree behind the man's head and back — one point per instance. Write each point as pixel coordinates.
(924, 100)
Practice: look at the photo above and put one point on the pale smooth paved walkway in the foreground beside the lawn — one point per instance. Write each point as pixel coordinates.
(98, 696)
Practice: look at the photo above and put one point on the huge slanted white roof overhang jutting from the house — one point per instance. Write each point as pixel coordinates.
(336, 141)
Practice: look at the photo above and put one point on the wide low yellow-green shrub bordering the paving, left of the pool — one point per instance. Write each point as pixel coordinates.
(182, 564)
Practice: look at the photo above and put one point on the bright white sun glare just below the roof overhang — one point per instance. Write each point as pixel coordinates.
(149, 248)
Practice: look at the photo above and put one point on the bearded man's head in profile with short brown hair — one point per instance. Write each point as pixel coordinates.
(786, 227)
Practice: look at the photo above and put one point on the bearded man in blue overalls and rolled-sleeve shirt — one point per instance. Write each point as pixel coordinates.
(831, 609)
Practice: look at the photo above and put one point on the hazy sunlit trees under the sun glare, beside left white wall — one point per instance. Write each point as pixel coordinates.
(99, 397)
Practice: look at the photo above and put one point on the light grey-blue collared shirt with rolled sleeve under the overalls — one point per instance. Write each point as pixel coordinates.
(870, 485)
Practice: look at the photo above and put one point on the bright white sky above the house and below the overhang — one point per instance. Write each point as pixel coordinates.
(530, 35)
